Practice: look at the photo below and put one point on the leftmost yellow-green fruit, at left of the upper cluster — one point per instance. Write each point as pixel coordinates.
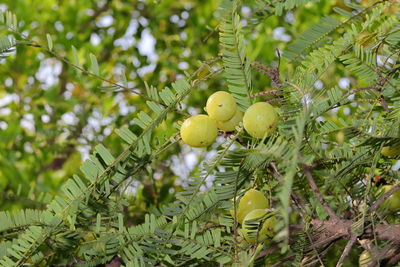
(199, 131)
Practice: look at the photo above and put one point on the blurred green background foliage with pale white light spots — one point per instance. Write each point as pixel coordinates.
(51, 114)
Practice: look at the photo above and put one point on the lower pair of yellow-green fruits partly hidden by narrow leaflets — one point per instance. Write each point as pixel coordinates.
(251, 211)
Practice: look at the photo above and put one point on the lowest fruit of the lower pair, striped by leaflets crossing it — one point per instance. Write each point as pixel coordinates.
(264, 231)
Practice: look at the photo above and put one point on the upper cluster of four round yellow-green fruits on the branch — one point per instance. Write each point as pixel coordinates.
(259, 120)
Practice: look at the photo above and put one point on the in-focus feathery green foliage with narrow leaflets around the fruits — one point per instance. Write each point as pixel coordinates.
(322, 167)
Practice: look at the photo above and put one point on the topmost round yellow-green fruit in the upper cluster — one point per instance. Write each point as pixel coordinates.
(221, 106)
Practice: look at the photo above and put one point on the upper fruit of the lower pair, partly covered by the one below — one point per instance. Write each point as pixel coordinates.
(251, 200)
